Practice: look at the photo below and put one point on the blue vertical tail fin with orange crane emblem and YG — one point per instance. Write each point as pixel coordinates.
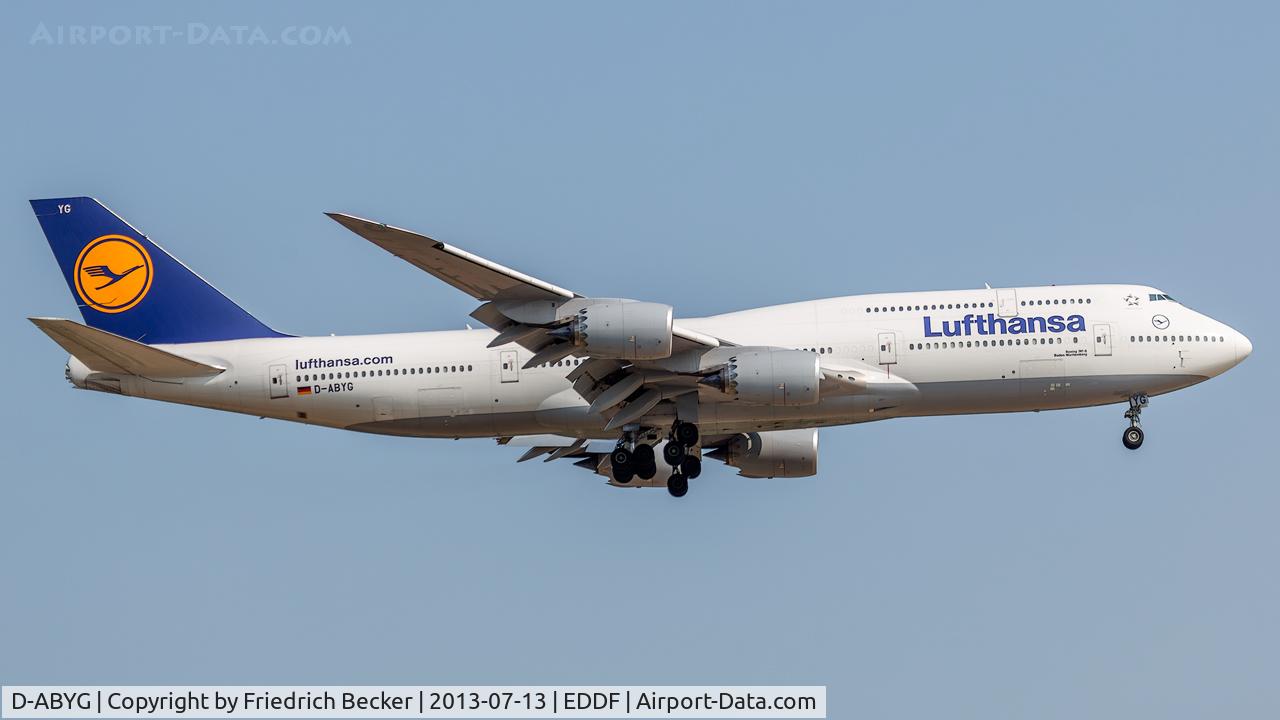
(127, 285)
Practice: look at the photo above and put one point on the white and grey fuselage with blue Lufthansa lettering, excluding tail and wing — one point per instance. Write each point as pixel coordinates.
(1020, 349)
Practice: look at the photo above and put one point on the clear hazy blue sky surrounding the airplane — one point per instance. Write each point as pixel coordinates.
(715, 157)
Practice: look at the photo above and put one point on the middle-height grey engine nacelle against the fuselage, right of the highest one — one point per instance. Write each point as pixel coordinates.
(770, 376)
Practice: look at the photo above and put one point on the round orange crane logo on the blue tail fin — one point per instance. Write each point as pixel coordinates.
(113, 274)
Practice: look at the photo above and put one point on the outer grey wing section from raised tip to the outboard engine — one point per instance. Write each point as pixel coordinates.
(473, 275)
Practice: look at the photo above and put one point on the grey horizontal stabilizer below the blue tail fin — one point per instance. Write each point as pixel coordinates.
(108, 353)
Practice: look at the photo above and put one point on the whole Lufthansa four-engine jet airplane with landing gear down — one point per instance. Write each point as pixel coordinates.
(621, 388)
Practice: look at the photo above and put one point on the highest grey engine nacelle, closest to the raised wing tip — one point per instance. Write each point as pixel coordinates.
(625, 330)
